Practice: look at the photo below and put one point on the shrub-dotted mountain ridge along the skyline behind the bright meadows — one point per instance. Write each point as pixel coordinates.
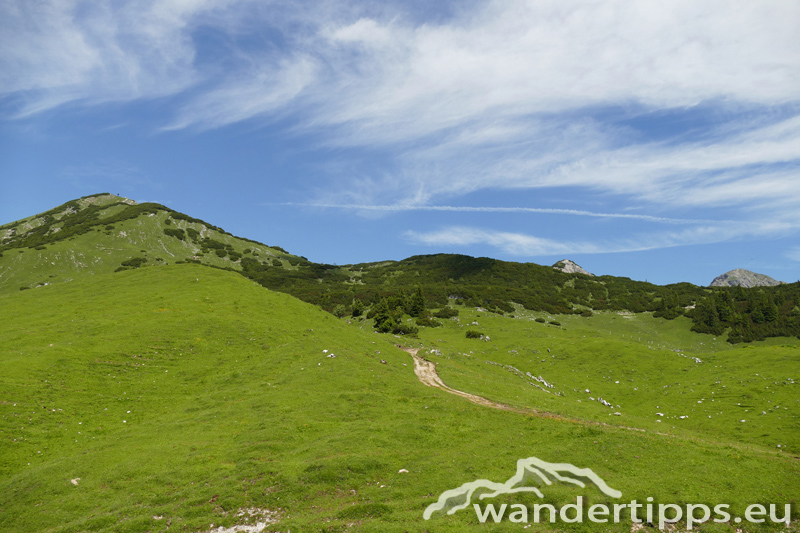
(104, 233)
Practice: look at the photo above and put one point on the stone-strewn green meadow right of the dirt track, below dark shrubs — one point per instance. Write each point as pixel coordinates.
(641, 365)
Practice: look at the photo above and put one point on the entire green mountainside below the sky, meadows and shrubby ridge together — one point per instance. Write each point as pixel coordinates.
(147, 394)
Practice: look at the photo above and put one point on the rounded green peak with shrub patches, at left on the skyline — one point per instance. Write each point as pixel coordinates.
(102, 233)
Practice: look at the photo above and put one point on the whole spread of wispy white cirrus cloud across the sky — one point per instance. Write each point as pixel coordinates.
(492, 95)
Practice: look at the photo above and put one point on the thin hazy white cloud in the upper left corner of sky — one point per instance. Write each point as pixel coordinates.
(57, 51)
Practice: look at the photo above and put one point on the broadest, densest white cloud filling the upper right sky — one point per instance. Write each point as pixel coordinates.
(516, 58)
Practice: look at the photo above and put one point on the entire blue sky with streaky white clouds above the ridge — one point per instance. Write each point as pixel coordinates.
(654, 140)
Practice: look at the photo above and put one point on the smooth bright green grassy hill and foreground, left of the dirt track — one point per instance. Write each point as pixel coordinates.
(232, 404)
